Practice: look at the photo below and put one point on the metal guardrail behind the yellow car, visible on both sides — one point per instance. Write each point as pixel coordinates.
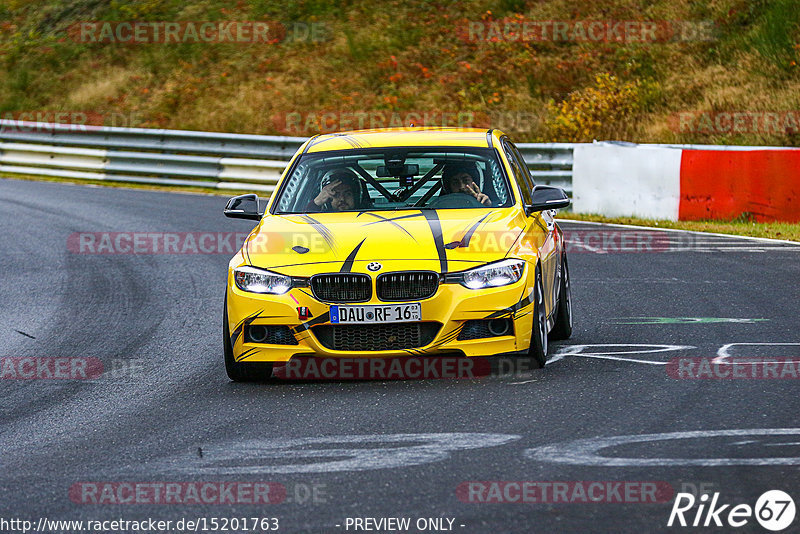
(187, 158)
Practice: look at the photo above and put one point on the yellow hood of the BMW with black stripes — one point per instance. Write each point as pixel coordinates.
(439, 240)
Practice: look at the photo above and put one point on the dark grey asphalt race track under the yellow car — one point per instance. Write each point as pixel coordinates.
(383, 448)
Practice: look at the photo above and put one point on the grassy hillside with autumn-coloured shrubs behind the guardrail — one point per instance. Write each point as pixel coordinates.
(326, 66)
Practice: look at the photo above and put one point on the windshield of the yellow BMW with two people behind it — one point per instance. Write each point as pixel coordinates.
(395, 179)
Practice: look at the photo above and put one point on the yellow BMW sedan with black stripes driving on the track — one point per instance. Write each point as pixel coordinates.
(398, 242)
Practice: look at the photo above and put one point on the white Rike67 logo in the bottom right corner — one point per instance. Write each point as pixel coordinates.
(774, 510)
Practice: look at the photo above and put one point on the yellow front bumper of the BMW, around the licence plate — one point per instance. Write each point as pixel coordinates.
(450, 307)
